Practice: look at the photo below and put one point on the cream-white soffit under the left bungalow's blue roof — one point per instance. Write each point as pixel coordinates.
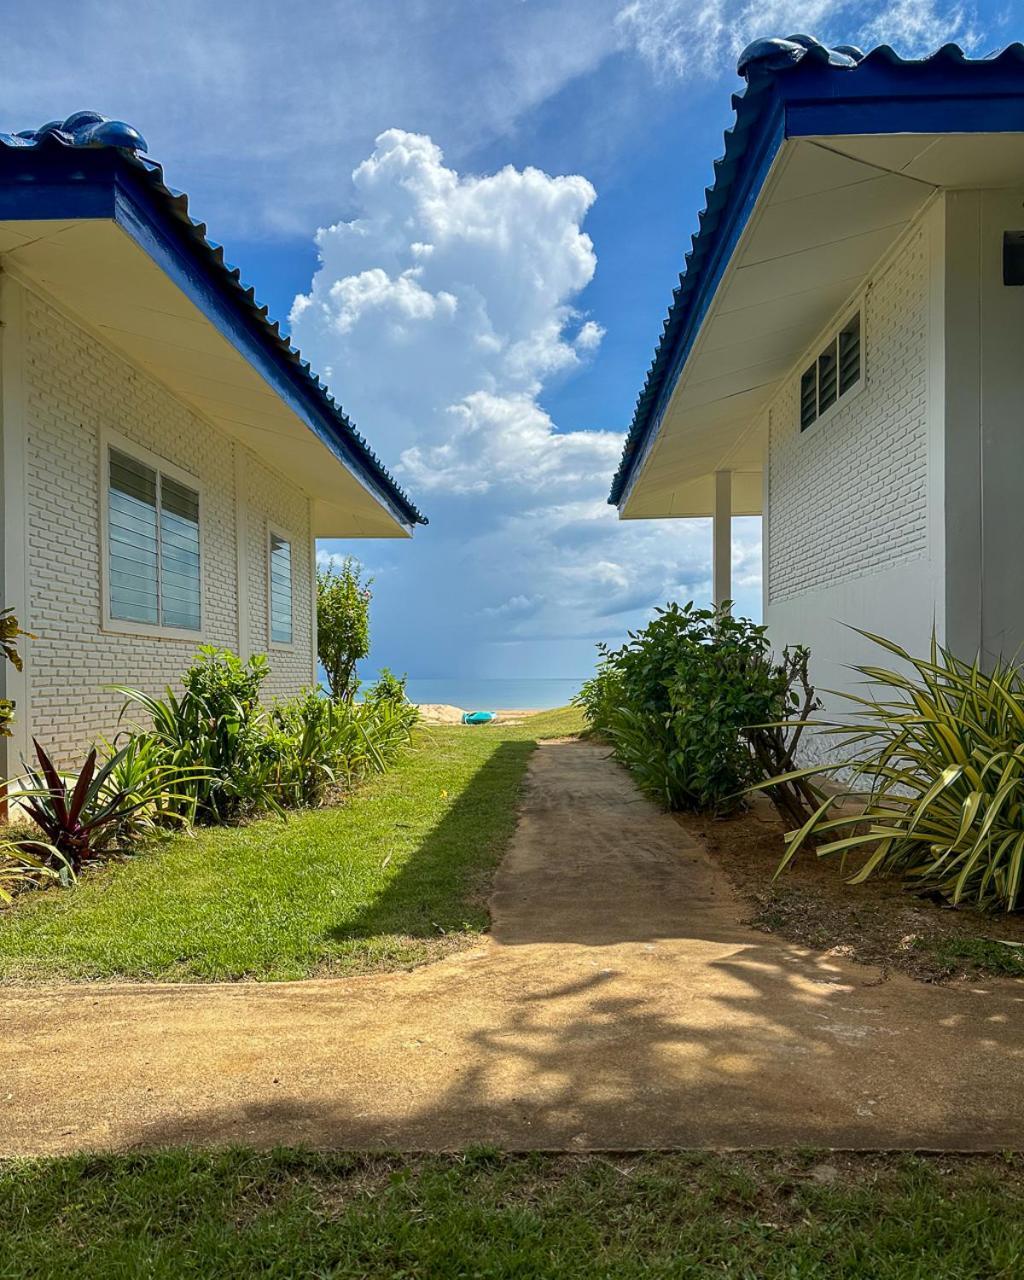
(95, 272)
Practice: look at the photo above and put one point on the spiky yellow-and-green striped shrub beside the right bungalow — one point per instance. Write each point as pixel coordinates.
(931, 765)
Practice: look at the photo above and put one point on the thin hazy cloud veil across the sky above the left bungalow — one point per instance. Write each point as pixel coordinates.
(257, 107)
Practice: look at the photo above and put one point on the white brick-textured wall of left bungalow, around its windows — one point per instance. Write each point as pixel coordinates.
(75, 388)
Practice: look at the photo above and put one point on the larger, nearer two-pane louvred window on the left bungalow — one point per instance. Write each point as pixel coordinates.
(153, 546)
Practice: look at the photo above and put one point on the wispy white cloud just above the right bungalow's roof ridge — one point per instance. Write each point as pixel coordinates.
(697, 38)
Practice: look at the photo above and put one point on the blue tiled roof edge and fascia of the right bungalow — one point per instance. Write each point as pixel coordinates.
(799, 88)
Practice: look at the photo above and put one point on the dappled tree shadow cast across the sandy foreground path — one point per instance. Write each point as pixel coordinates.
(787, 1053)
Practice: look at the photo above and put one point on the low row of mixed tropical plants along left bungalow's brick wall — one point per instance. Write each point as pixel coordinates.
(214, 755)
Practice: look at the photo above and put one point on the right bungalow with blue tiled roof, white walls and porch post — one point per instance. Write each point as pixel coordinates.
(845, 351)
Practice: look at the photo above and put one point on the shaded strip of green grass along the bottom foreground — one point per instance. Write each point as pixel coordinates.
(291, 1215)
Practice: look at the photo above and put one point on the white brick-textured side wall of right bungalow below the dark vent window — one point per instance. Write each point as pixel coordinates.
(854, 531)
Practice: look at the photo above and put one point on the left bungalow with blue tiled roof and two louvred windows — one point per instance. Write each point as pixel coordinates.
(167, 459)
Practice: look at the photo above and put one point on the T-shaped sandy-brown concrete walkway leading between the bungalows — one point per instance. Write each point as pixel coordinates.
(619, 1005)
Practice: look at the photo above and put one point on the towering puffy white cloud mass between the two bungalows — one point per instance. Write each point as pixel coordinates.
(444, 309)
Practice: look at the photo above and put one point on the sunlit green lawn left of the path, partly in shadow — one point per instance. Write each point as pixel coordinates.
(395, 877)
